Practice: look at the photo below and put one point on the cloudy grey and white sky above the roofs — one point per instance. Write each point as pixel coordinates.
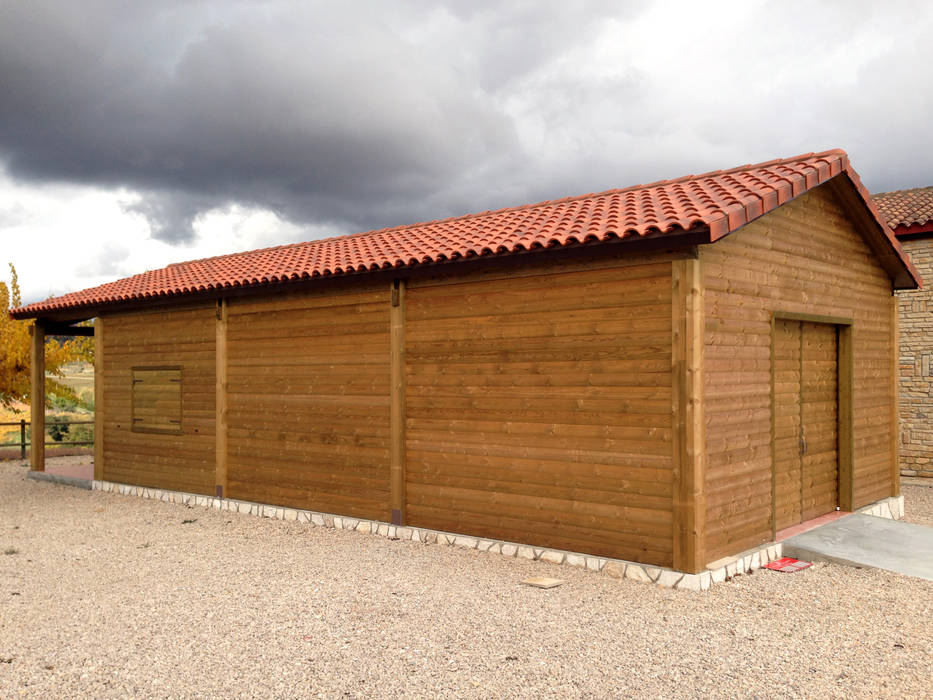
(133, 135)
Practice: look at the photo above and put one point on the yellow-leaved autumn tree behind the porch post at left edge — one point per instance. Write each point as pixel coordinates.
(15, 352)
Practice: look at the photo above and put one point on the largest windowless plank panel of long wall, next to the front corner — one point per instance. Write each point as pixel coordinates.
(539, 407)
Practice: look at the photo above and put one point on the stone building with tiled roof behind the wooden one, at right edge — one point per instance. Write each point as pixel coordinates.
(910, 214)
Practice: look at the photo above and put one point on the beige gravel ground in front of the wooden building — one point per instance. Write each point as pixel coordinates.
(104, 595)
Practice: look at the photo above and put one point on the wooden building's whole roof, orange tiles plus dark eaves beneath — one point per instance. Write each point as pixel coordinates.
(693, 210)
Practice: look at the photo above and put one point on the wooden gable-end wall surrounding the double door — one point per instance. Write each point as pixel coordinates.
(805, 257)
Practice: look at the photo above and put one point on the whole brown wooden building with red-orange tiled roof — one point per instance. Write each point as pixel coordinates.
(666, 374)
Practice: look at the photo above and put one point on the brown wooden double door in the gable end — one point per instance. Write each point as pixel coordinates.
(806, 414)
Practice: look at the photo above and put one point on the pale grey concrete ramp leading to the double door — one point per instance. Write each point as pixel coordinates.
(869, 541)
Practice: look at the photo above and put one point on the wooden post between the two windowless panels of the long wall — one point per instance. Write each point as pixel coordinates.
(397, 407)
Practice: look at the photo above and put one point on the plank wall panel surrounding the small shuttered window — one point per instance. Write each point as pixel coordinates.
(182, 337)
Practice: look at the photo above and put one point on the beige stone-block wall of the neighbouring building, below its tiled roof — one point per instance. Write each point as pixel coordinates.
(916, 365)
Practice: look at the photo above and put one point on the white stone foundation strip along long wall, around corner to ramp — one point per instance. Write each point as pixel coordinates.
(722, 570)
